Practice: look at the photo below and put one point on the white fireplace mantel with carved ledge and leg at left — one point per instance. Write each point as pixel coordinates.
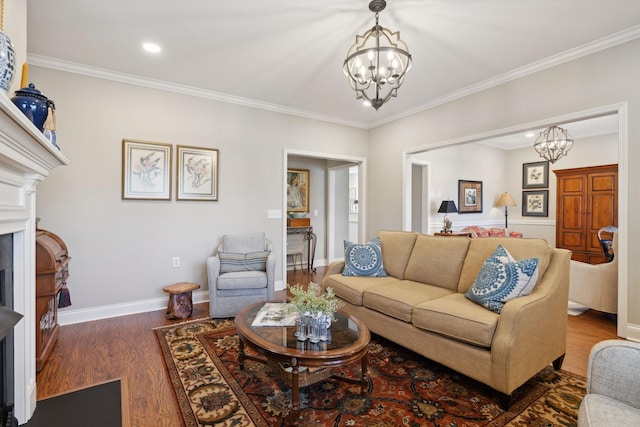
(26, 158)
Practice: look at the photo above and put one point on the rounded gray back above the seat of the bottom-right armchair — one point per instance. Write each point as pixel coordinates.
(614, 370)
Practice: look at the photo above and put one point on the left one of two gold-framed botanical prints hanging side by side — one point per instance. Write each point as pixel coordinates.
(146, 170)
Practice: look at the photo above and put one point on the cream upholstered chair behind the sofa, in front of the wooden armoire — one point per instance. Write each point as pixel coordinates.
(596, 285)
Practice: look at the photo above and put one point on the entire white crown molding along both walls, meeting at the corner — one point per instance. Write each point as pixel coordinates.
(552, 61)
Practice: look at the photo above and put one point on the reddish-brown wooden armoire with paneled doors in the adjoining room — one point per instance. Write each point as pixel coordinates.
(586, 201)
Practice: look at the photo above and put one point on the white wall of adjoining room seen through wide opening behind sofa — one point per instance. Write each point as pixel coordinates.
(505, 174)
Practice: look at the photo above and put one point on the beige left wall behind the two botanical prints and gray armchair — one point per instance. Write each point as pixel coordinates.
(122, 250)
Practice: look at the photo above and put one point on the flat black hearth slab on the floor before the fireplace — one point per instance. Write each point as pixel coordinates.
(96, 406)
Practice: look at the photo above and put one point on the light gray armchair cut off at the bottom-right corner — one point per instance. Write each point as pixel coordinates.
(613, 385)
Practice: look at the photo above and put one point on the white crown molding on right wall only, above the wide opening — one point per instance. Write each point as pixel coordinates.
(552, 61)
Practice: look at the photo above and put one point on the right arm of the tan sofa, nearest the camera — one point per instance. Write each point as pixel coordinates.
(532, 329)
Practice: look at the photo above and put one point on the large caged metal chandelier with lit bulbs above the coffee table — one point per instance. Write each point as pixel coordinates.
(377, 62)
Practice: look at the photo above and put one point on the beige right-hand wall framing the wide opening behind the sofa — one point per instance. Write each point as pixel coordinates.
(606, 78)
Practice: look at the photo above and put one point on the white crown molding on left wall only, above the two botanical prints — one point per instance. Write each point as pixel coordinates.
(102, 73)
